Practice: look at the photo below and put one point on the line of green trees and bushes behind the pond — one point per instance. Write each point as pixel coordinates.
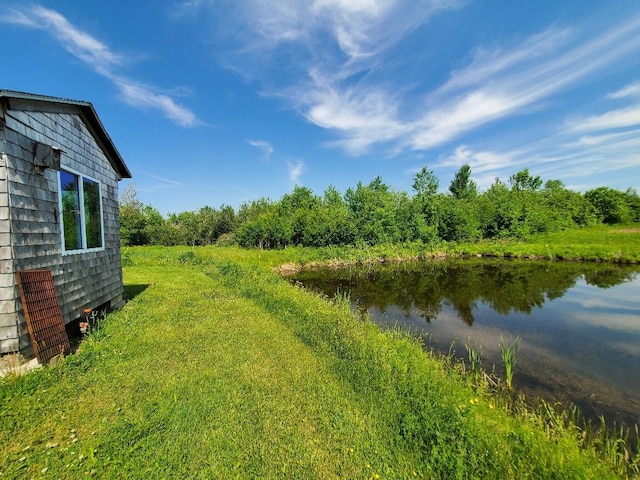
(375, 213)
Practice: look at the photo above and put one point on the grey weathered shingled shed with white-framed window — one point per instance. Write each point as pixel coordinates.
(59, 174)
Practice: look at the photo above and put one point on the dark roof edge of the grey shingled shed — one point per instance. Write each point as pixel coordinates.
(33, 102)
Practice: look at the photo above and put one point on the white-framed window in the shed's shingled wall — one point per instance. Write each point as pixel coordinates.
(80, 212)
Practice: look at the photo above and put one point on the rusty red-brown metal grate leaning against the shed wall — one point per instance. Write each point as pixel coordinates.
(42, 313)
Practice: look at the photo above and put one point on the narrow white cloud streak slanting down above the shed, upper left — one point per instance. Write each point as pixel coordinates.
(101, 59)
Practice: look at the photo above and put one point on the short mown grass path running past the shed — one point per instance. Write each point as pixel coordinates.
(188, 381)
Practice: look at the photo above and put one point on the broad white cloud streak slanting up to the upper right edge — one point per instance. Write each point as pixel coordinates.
(510, 82)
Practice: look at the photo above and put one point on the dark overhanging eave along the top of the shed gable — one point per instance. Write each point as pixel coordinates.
(89, 117)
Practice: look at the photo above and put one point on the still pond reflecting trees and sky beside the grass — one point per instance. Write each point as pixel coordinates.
(579, 323)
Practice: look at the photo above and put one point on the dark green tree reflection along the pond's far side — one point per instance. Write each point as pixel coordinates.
(505, 286)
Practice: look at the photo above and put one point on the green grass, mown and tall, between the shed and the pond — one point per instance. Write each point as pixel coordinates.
(218, 368)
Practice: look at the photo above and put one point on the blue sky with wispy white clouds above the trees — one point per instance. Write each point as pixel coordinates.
(215, 102)
